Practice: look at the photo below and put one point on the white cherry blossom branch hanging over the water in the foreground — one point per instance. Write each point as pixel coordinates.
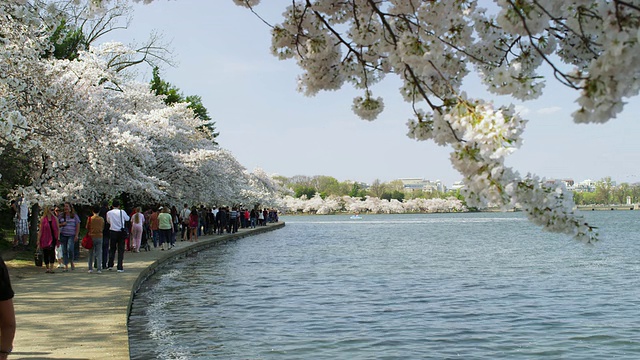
(591, 47)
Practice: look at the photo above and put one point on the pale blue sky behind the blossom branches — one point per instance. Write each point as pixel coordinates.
(222, 54)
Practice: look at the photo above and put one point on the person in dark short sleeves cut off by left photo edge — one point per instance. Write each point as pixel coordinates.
(7, 313)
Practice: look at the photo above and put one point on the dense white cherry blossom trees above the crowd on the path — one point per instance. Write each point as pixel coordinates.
(92, 134)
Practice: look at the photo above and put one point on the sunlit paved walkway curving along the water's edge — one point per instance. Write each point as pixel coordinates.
(77, 315)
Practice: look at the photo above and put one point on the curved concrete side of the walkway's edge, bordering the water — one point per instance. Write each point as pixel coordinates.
(184, 252)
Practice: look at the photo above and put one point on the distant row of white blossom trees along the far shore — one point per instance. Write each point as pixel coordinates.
(335, 204)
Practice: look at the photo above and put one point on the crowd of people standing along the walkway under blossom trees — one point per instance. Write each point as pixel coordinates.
(114, 231)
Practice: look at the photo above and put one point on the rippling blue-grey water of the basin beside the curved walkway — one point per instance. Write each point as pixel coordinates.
(427, 286)
